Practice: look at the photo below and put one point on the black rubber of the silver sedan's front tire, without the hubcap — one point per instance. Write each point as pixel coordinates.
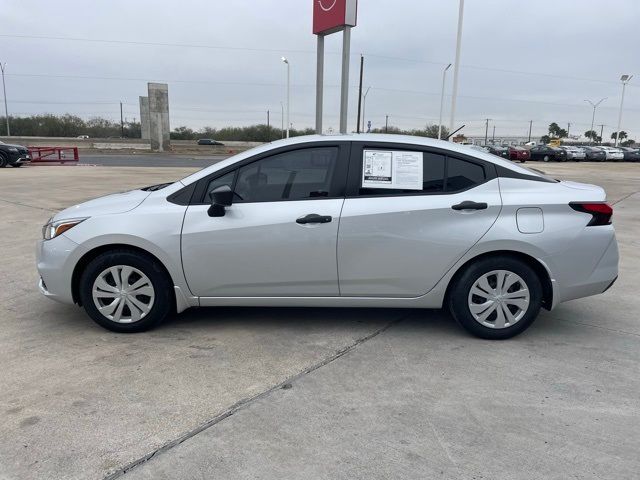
(163, 303)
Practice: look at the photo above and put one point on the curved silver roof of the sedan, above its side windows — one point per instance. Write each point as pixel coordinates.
(361, 137)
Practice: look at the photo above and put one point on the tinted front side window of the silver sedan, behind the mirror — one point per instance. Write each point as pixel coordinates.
(295, 175)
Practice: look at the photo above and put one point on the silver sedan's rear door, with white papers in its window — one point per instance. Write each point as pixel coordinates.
(399, 242)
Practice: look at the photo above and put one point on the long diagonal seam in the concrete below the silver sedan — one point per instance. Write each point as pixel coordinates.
(249, 400)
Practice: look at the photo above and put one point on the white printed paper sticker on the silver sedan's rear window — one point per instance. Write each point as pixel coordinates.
(392, 169)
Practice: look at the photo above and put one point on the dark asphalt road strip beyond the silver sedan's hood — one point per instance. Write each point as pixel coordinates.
(150, 160)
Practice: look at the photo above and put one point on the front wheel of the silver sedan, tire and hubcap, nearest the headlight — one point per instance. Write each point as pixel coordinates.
(125, 291)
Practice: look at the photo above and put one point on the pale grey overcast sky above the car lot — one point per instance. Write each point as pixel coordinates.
(520, 61)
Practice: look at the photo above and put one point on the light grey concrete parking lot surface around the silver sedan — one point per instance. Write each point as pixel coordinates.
(311, 393)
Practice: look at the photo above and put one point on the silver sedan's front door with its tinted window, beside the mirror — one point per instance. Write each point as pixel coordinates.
(279, 236)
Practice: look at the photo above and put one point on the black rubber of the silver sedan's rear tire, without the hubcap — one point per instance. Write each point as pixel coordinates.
(459, 295)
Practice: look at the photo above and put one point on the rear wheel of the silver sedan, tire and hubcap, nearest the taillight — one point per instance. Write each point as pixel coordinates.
(496, 297)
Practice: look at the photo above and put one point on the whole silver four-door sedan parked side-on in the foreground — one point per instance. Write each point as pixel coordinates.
(337, 221)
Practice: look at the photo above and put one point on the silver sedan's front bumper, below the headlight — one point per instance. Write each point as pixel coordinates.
(55, 260)
